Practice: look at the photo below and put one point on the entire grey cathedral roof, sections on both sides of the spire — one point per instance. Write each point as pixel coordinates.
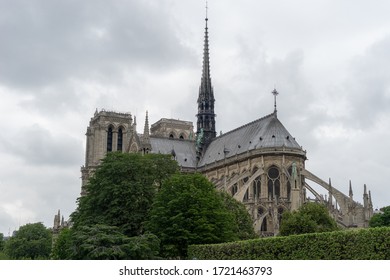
(267, 132)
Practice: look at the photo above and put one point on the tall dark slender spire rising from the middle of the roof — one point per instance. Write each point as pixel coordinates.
(206, 116)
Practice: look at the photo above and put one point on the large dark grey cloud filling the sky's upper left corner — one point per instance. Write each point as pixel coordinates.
(50, 41)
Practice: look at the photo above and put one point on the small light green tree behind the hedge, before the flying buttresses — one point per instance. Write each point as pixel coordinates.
(309, 218)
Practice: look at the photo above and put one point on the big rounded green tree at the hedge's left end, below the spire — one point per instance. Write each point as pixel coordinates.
(188, 210)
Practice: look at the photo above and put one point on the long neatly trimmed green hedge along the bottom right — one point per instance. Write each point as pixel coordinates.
(354, 244)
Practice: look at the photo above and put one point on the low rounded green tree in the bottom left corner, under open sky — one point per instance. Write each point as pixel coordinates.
(31, 241)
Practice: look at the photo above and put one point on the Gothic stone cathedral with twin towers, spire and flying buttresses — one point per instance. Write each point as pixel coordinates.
(260, 163)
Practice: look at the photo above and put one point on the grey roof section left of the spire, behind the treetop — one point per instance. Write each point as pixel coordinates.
(184, 150)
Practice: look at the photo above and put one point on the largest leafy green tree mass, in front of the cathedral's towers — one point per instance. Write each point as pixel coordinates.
(108, 222)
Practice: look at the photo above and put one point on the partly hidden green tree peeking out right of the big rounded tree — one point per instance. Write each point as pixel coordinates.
(243, 221)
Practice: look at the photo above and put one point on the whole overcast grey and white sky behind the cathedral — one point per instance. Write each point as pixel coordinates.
(60, 60)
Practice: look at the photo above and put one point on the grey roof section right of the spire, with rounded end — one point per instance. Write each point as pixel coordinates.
(267, 132)
